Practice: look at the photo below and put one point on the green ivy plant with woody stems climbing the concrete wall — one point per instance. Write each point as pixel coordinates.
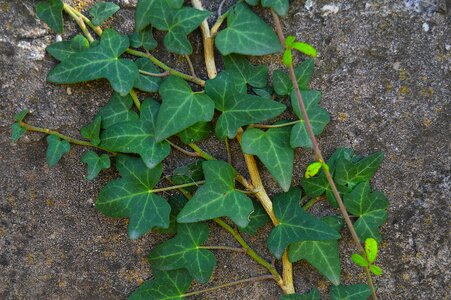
(174, 111)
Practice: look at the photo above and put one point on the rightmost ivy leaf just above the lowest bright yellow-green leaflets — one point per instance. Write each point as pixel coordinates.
(369, 207)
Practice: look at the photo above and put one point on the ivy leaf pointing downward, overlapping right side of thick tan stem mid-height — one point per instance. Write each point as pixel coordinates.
(273, 149)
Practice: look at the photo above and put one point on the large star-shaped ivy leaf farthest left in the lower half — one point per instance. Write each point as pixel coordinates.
(131, 196)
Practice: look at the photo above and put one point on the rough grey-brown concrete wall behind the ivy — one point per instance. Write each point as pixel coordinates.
(384, 72)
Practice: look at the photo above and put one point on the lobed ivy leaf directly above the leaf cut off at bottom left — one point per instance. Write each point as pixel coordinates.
(184, 251)
